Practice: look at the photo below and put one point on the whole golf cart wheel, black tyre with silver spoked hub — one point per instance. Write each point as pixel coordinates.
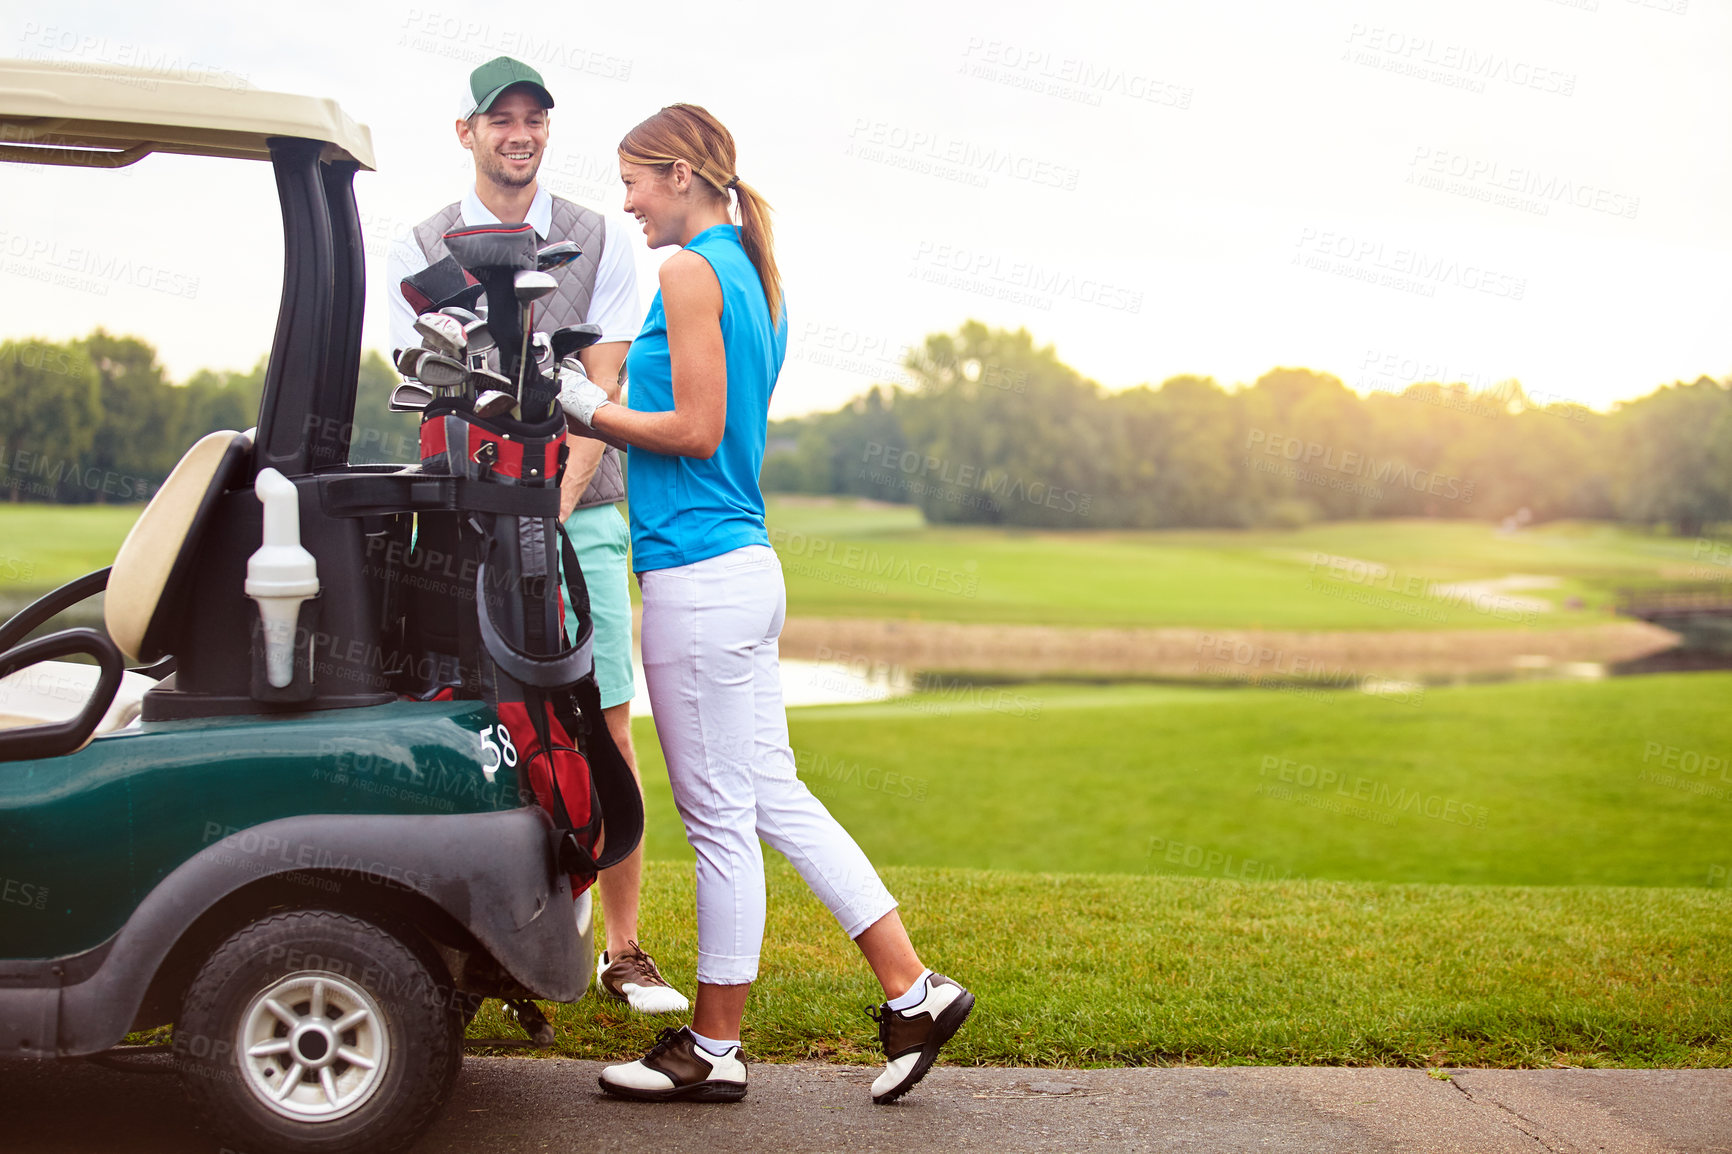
(318, 1034)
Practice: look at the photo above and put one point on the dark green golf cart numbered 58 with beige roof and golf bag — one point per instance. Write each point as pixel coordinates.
(306, 796)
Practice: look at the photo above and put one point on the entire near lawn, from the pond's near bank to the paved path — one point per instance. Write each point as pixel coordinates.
(1031, 872)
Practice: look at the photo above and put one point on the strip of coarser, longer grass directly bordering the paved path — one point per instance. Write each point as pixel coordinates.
(1094, 971)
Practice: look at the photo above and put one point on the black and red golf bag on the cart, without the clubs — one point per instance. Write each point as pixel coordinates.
(507, 640)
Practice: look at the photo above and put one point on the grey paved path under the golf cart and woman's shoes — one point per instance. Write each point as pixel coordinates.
(552, 1105)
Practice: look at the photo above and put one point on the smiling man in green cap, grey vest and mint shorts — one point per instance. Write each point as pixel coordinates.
(503, 124)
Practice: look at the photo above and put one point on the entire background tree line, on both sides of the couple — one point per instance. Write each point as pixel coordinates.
(995, 431)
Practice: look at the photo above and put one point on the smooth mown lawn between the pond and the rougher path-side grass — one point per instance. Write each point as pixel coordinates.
(1175, 781)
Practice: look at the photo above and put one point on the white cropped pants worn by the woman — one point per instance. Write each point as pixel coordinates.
(709, 642)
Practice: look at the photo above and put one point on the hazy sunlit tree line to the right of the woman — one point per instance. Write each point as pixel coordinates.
(995, 431)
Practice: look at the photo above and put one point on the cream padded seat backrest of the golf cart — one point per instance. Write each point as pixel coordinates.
(157, 559)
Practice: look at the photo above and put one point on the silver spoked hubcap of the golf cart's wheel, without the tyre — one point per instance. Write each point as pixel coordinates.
(313, 1047)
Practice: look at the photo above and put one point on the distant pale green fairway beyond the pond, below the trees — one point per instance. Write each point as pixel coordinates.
(848, 559)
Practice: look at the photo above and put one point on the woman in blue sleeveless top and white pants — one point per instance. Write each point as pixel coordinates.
(713, 595)
